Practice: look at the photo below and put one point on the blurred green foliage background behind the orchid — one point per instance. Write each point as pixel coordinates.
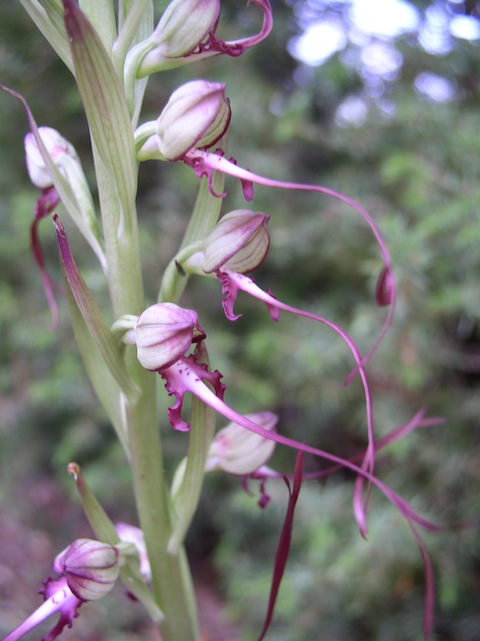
(413, 162)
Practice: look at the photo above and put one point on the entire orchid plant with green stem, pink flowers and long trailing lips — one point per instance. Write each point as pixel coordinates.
(111, 57)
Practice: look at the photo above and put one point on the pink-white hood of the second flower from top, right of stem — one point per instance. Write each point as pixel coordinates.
(196, 115)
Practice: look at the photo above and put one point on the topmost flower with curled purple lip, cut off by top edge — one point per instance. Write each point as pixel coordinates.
(186, 33)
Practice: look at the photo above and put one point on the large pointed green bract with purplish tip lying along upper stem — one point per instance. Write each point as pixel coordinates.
(105, 107)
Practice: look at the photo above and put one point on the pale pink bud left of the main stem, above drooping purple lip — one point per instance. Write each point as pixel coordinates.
(61, 151)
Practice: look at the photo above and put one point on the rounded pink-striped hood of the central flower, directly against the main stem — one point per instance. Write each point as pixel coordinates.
(163, 333)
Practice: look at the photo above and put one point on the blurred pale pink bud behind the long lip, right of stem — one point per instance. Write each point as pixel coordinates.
(239, 451)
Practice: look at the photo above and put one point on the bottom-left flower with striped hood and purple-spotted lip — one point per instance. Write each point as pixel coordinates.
(88, 571)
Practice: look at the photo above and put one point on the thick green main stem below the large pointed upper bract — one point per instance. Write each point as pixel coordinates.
(171, 581)
